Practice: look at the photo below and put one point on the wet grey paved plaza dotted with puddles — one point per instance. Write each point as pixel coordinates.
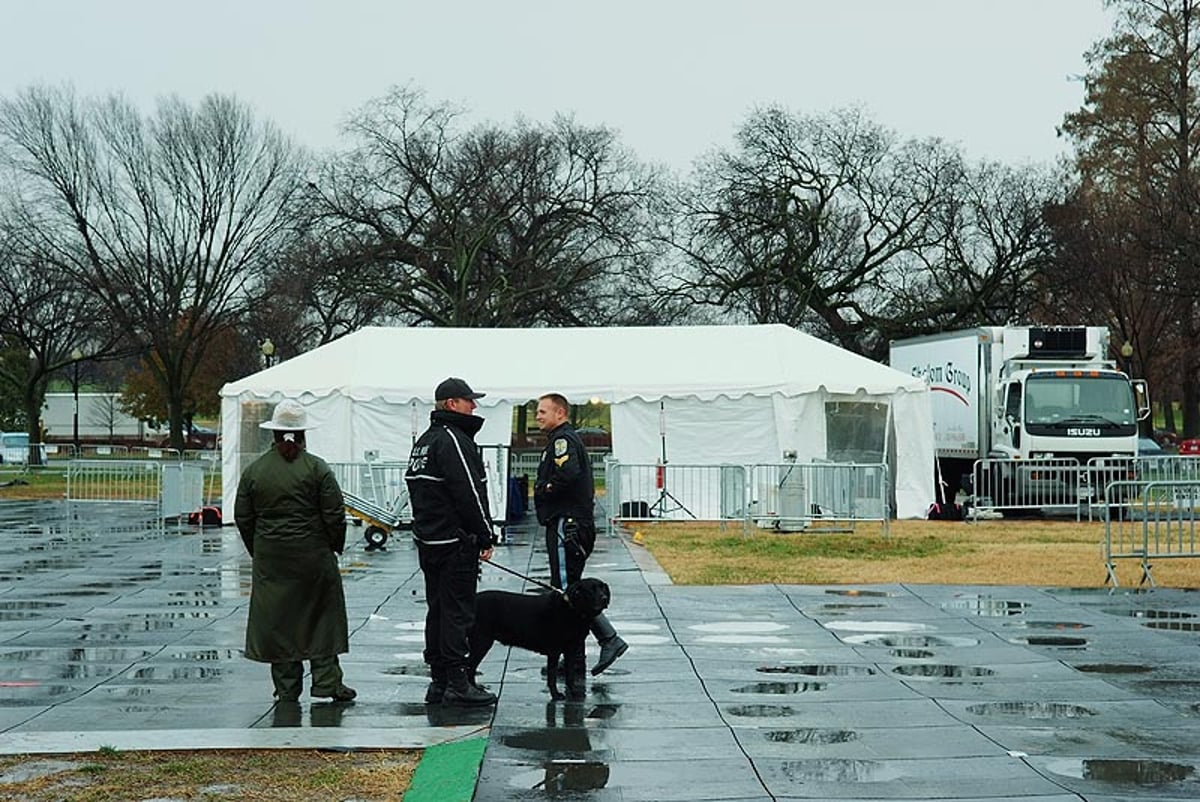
(113, 633)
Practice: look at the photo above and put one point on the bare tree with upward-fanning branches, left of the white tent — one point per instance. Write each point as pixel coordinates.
(169, 220)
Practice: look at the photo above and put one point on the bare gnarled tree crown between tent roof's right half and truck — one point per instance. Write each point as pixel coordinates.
(837, 226)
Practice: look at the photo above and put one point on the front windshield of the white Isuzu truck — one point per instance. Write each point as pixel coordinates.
(1052, 398)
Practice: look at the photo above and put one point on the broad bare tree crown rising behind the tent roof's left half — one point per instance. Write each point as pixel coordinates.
(536, 225)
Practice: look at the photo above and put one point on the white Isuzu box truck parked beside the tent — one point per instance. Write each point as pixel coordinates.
(1022, 393)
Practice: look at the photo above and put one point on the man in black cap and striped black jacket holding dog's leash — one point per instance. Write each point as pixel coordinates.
(453, 530)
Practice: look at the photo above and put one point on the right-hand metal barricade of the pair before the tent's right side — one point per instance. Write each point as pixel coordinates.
(794, 496)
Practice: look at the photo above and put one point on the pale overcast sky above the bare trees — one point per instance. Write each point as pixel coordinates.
(674, 77)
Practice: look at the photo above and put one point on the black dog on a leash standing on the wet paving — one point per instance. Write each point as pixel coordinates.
(548, 624)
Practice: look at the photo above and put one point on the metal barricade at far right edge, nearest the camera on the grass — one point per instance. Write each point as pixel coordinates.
(1159, 523)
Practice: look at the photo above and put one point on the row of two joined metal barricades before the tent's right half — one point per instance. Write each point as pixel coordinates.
(788, 496)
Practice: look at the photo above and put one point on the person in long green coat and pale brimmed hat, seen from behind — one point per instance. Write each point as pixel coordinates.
(291, 516)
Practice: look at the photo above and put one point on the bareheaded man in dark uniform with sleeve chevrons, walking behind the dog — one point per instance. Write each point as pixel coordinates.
(565, 498)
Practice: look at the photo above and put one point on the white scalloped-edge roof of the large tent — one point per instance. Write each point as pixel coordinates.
(614, 364)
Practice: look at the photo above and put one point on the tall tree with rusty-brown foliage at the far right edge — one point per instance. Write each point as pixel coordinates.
(1138, 141)
